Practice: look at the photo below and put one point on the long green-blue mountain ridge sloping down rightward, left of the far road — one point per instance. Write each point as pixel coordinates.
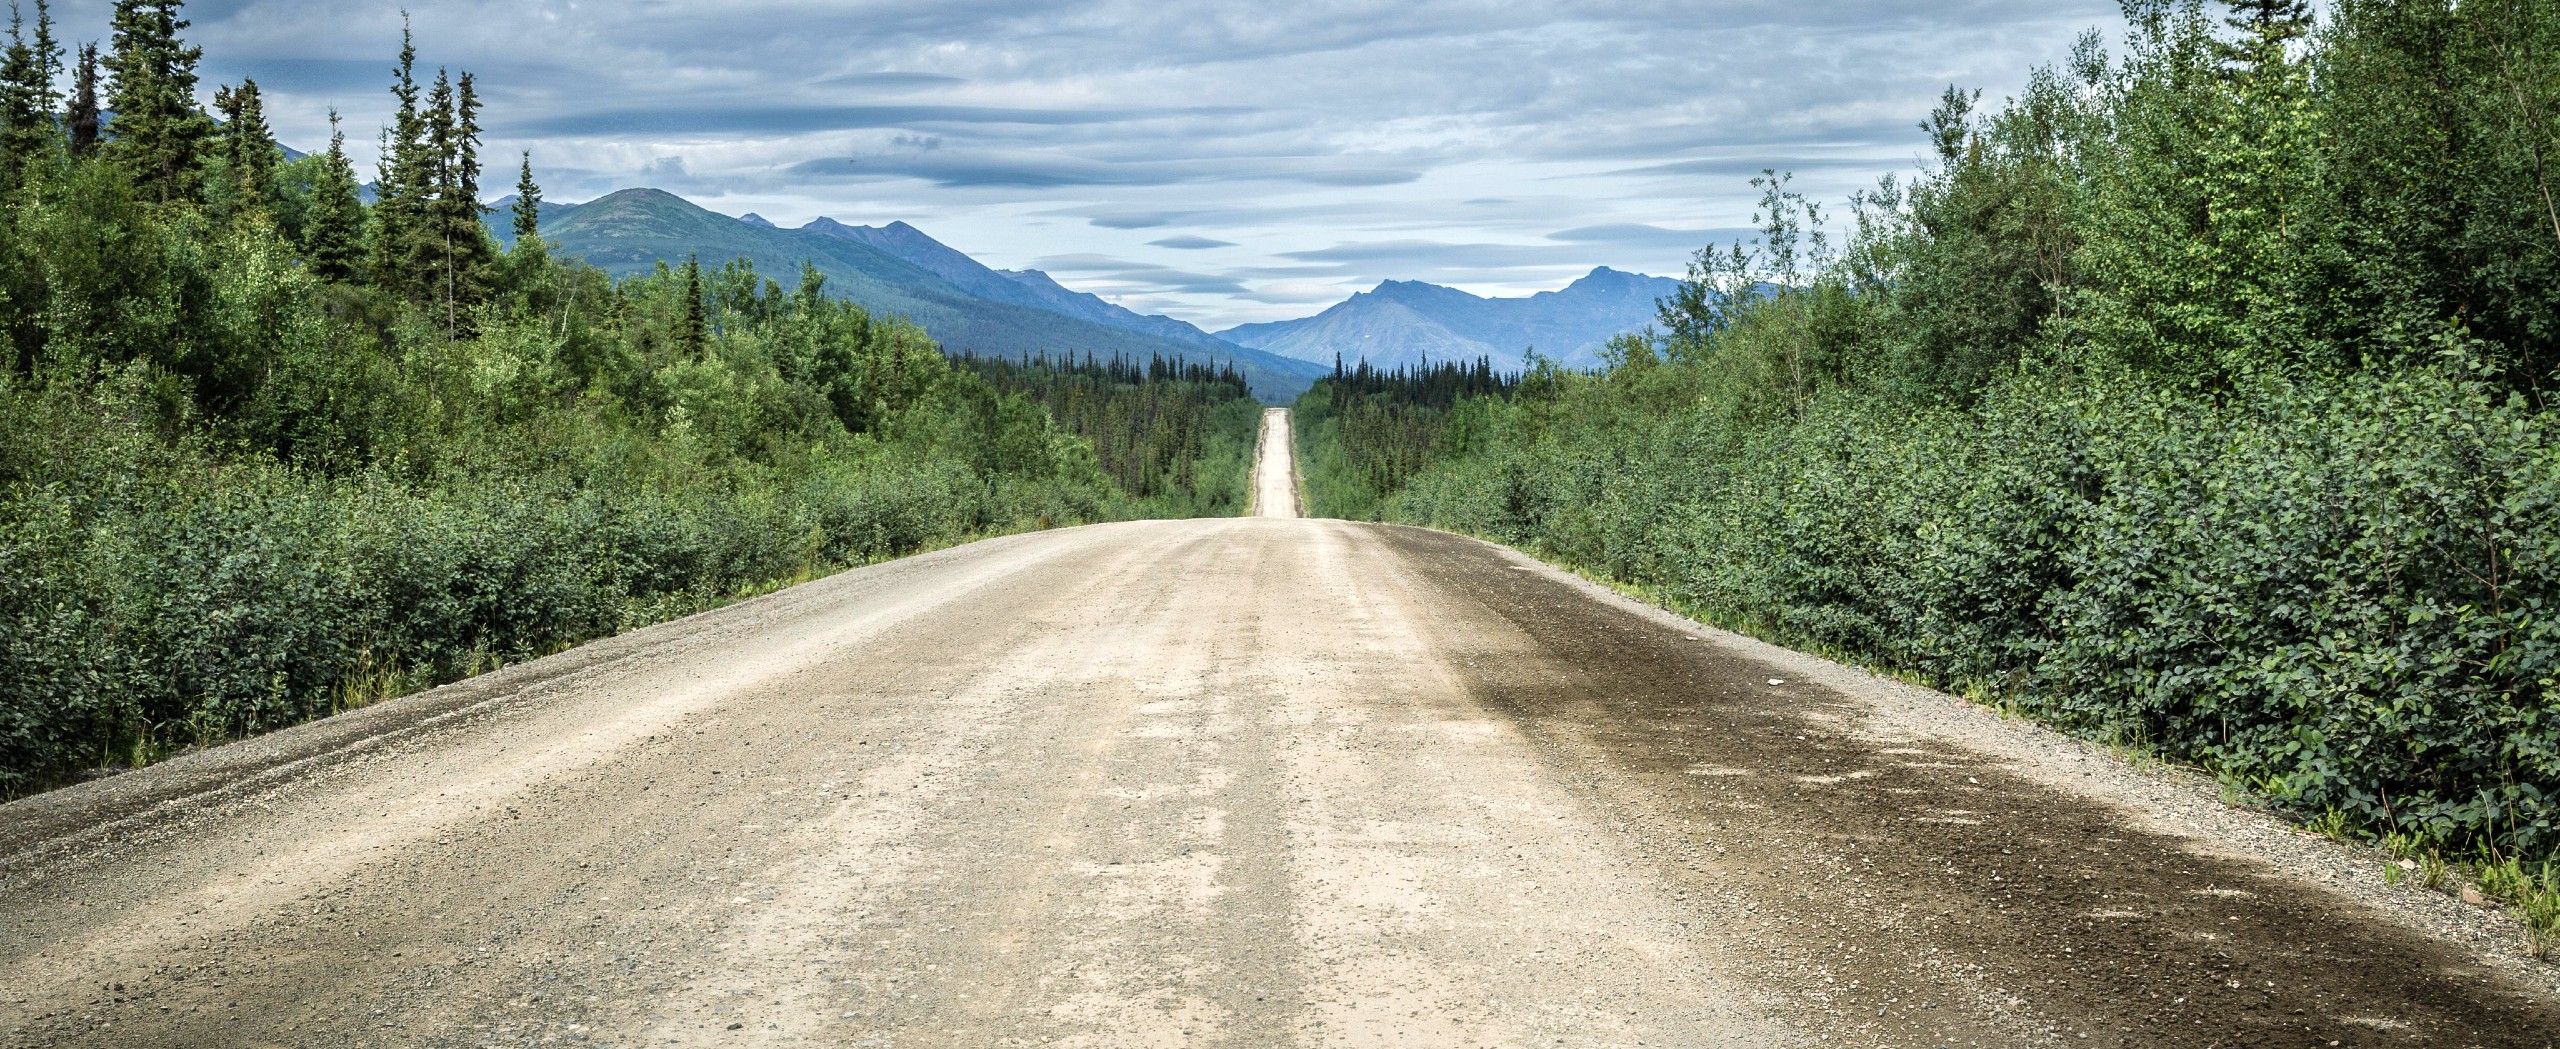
(902, 272)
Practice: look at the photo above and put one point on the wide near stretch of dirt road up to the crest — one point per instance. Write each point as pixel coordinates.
(1194, 784)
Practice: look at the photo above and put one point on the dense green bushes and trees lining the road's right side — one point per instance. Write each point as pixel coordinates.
(2198, 400)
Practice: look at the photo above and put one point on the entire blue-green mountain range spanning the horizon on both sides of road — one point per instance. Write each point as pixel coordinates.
(969, 306)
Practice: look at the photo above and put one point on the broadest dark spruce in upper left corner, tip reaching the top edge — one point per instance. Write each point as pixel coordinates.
(160, 132)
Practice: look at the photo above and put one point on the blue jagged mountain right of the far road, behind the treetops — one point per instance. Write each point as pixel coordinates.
(1409, 321)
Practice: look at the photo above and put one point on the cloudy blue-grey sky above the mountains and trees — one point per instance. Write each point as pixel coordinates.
(1220, 160)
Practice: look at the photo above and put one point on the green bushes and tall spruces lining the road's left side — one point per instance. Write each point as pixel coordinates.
(270, 452)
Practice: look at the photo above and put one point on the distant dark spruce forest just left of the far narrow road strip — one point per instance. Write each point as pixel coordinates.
(1171, 434)
